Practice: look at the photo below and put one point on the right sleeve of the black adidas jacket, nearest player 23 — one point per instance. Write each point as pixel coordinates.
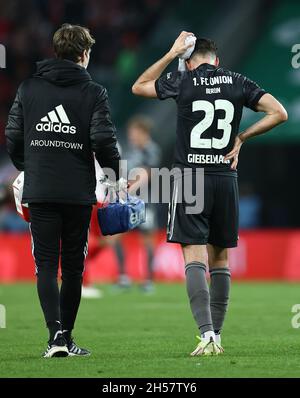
(102, 134)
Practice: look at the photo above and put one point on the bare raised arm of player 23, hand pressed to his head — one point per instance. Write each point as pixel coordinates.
(145, 84)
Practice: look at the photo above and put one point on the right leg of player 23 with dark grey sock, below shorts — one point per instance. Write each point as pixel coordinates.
(219, 287)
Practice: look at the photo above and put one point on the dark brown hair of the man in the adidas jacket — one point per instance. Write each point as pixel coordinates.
(70, 41)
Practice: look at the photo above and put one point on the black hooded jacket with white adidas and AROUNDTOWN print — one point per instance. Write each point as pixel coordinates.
(58, 119)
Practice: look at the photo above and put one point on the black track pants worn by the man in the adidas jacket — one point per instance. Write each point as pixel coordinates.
(59, 232)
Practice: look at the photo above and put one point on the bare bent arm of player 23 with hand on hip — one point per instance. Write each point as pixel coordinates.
(275, 114)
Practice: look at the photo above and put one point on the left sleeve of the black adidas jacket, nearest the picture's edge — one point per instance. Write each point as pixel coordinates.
(14, 133)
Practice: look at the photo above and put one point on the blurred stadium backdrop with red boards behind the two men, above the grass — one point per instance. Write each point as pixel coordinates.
(254, 38)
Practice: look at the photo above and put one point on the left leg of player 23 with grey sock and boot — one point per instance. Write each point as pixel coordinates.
(195, 269)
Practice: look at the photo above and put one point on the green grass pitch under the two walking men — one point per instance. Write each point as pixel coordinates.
(136, 335)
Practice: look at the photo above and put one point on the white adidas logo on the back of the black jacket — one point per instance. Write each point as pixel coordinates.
(57, 121)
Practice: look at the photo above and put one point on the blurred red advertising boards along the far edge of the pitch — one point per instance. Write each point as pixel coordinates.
(261, 255)
